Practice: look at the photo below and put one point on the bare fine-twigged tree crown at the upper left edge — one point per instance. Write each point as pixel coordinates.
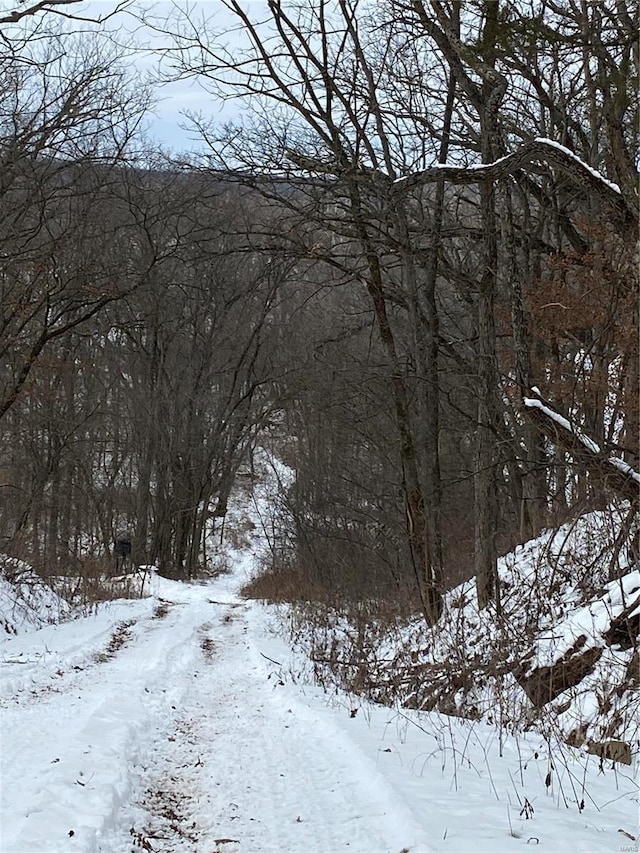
(66, 119)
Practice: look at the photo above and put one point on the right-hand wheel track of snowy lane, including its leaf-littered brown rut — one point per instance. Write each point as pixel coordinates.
(248, 772)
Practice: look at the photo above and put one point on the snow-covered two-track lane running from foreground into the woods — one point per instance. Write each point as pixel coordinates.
(182, 741)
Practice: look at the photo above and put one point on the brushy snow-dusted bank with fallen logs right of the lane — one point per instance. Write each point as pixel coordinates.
(557, 605)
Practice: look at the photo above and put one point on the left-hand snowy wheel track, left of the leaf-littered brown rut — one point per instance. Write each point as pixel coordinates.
(83, 743)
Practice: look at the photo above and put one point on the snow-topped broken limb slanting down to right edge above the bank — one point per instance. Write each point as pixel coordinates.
(615, 473)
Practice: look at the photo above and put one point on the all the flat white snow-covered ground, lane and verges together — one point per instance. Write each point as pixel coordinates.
(183, 721)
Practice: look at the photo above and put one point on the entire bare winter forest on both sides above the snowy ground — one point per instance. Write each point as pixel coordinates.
(410, 266)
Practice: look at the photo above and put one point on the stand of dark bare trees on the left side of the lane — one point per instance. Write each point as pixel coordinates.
(134, 320)
